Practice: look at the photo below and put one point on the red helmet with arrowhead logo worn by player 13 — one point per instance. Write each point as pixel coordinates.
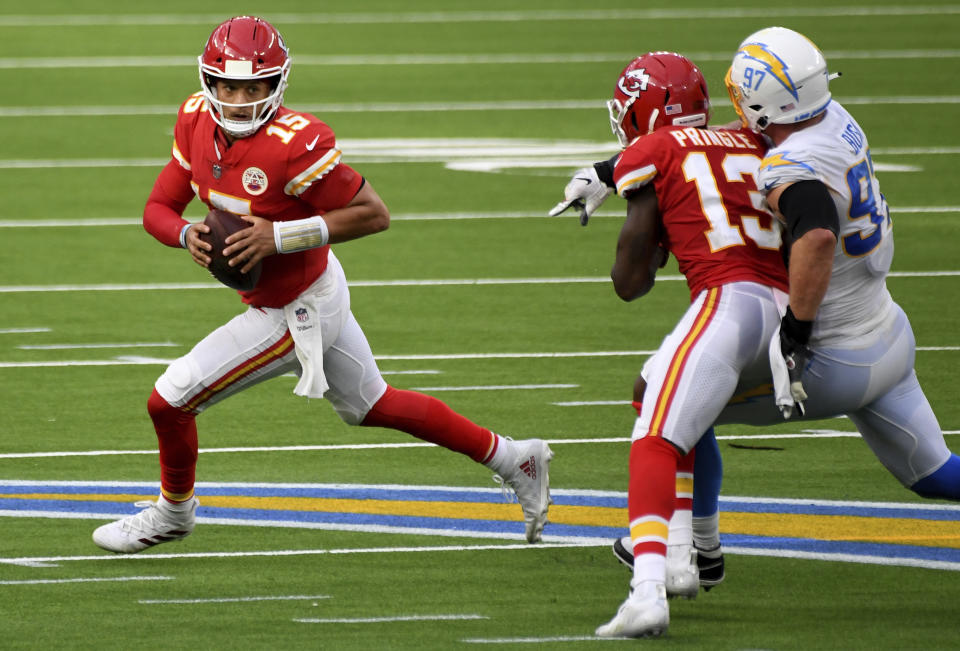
(654, 90)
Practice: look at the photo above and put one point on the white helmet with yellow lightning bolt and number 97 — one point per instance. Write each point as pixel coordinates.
(778, 76)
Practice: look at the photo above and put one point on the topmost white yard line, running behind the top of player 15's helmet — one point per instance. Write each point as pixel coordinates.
(361, 18)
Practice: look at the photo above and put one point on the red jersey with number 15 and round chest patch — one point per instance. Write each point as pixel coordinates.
(289, 169)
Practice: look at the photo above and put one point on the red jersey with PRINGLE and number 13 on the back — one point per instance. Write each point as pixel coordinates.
(709, 203)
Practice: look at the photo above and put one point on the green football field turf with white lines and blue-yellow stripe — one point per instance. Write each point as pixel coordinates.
(468, 119)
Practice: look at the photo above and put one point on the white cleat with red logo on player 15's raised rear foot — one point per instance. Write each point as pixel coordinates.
(528, 474)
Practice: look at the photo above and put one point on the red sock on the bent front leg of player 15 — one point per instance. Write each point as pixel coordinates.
(177, 438)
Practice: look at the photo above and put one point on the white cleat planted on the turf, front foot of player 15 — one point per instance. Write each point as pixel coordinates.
(152, 526)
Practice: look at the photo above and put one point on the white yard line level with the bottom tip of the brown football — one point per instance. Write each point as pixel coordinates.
(448, 282)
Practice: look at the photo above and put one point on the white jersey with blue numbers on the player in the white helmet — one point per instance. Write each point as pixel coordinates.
(835, 152)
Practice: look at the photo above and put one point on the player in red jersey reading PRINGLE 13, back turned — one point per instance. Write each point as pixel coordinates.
(691, 192)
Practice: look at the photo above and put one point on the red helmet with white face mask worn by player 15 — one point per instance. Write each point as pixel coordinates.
(243, 48)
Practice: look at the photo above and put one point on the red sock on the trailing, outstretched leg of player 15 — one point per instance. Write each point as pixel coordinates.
(431, 420)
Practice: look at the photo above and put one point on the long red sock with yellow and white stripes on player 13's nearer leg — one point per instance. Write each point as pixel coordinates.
(651, 496)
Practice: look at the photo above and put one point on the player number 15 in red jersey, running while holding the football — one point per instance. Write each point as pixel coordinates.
(237, 148)
